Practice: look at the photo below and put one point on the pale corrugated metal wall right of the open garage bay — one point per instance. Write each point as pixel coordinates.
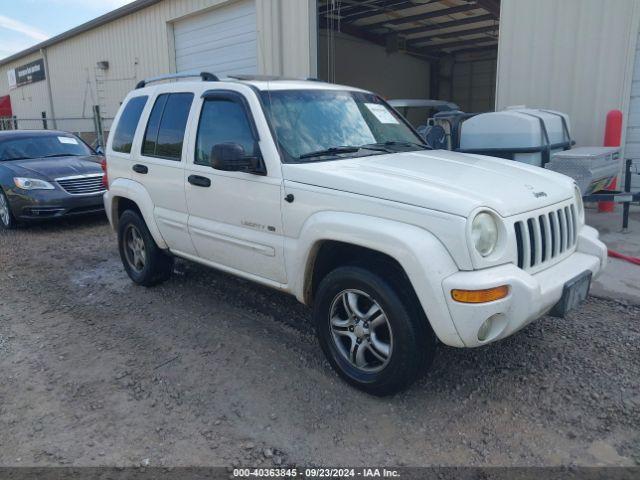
(575, 56)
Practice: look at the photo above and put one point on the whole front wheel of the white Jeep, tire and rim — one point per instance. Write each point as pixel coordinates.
(372, 331)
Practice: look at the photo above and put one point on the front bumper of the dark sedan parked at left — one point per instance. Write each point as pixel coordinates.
(43, 204)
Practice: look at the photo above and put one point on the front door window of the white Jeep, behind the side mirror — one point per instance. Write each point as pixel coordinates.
(222, 121)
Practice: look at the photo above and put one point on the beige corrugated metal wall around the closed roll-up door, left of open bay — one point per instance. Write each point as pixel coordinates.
(140, 45)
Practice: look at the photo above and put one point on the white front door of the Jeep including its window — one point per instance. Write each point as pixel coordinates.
(234, 217)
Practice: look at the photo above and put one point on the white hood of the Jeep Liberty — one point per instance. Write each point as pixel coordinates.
(440, 180)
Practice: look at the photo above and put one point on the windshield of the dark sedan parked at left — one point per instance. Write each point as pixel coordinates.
(42, 146)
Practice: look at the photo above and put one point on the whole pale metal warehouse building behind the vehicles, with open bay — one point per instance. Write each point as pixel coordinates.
(577, 56)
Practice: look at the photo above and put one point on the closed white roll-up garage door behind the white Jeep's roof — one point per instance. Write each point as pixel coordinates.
(221, 41)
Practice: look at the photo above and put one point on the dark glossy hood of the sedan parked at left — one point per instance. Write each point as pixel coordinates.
(52, 168)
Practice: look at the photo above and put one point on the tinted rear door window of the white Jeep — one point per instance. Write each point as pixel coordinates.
(165, 128)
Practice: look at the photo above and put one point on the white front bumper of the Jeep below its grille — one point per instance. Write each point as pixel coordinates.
(530, 296)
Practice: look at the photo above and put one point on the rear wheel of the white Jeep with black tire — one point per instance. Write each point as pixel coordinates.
(156, 266)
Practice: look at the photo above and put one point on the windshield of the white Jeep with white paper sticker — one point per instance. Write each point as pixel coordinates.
(312, 125)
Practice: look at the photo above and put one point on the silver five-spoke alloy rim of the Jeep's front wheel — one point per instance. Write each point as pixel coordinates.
(361, 331)
